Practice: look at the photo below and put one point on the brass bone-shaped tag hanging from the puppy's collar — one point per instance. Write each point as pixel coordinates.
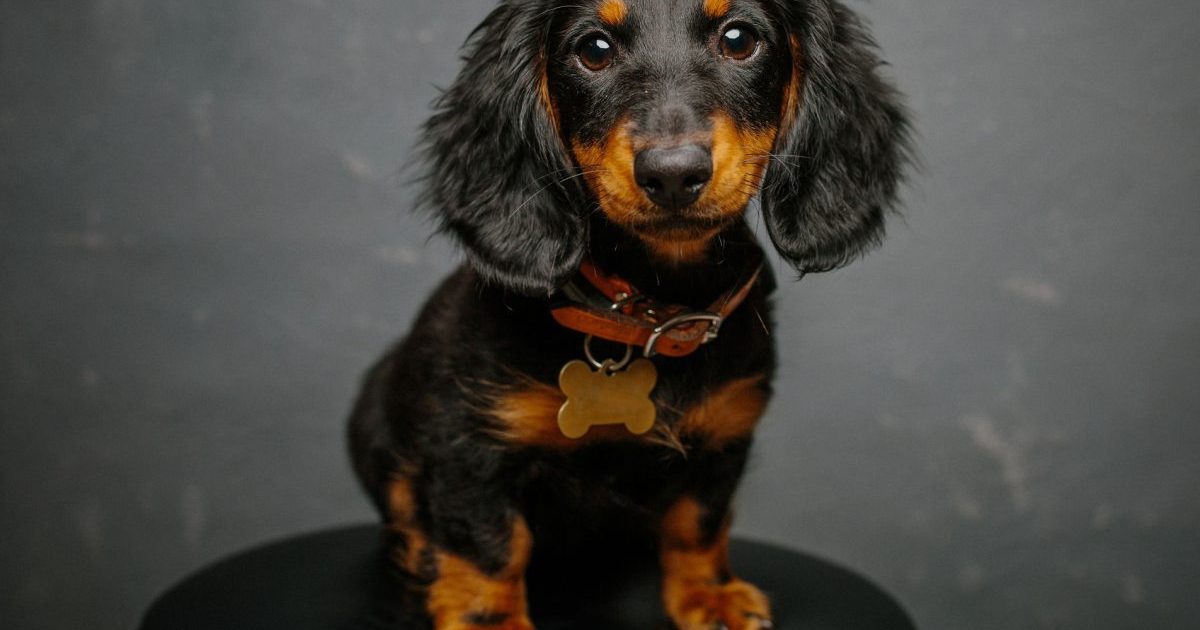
(607, 398)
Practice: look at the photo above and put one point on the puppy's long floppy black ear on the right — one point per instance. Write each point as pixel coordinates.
(844, 147)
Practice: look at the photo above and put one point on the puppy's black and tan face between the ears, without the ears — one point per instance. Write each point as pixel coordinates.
(670, 110)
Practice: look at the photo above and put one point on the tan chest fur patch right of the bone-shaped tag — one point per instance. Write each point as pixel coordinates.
(729, 413)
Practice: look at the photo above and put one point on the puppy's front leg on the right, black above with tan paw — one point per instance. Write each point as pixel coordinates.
(699, 590)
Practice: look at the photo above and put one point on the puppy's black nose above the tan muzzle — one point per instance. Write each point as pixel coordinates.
(674, 177)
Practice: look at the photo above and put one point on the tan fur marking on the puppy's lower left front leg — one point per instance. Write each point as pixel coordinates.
(463, 590)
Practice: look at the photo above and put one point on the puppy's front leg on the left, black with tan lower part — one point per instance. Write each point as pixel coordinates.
(469, 555)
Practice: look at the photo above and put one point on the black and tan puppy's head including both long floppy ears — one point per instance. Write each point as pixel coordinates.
(669, 118)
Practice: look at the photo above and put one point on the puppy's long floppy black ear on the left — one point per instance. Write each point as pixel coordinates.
(496, 165)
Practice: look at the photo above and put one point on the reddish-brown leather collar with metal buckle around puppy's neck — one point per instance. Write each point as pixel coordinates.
(633, 319)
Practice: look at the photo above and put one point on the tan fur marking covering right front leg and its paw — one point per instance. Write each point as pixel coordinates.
(698, 589)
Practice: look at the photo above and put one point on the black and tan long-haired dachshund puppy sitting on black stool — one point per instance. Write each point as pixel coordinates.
(592, 376)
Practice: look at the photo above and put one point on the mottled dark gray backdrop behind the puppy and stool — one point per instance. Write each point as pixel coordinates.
(203, 243)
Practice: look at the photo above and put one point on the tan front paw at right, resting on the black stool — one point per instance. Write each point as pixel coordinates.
(736, 605)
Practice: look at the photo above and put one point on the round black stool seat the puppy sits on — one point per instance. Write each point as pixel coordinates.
(338, 580)
